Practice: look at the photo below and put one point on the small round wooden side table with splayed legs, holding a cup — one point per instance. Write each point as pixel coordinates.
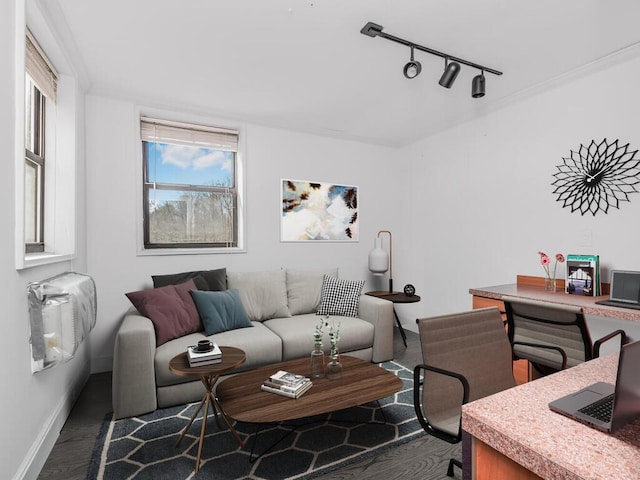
(208, 374)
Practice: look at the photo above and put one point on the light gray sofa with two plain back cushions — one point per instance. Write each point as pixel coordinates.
(281, 305)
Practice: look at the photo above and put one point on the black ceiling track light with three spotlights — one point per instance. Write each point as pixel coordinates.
(452, 64)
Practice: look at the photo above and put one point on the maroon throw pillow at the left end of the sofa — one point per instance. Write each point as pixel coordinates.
(170, 308)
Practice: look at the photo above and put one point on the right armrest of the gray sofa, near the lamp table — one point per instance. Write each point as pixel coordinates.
(379, 312)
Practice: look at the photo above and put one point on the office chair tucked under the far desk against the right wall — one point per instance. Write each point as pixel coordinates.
(551, 336)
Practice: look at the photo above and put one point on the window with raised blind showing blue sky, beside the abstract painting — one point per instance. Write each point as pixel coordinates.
(190, 185)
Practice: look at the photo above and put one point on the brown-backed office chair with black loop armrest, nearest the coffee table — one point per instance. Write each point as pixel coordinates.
(466, 357)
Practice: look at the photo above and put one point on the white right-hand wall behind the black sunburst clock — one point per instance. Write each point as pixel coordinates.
(483, 196)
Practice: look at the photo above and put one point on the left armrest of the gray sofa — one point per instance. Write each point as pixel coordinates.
(133, 381)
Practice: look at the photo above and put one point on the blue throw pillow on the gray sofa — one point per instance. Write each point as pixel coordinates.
(220, 311)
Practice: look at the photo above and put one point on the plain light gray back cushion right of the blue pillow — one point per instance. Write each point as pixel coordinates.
(263, 294)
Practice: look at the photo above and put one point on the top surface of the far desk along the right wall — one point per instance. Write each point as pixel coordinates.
(538, 293)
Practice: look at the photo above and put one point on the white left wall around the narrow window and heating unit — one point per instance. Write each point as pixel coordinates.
(33, 407)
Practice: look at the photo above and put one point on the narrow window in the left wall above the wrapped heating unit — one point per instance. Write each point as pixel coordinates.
(40, 88)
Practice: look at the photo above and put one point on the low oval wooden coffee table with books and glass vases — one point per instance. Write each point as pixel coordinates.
(361, 382)
